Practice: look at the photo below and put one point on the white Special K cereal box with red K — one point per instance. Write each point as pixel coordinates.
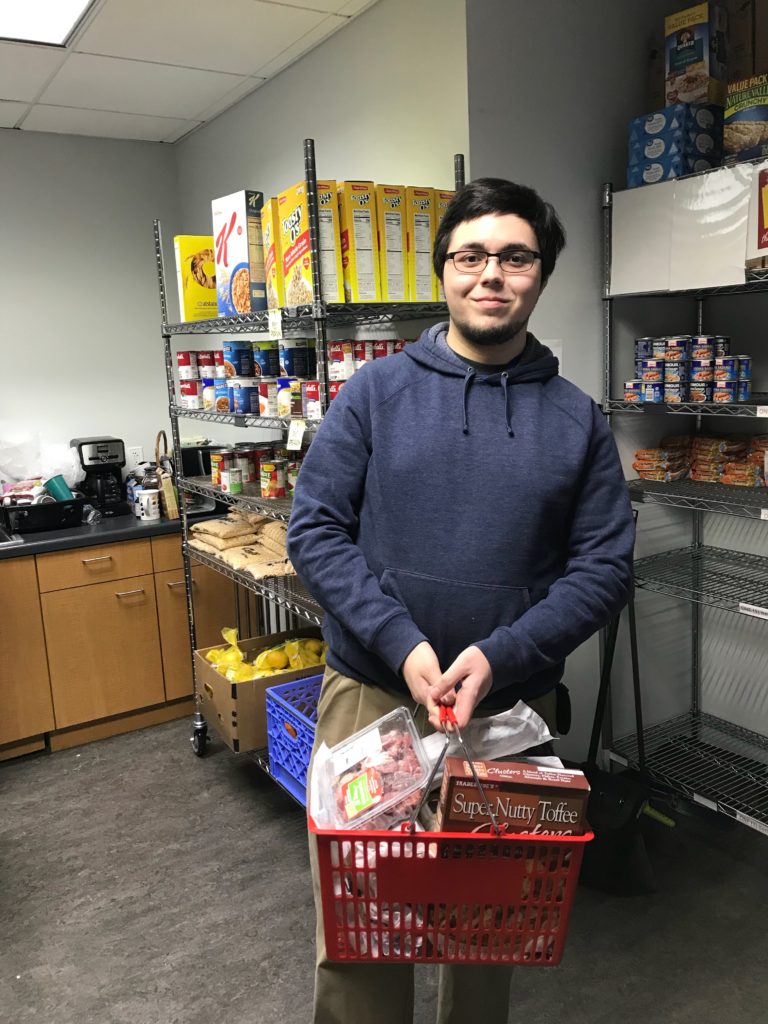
(241, 286)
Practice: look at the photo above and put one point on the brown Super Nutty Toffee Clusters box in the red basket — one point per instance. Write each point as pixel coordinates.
(525, 797)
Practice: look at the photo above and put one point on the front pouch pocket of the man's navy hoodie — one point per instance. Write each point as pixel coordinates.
(452, 615)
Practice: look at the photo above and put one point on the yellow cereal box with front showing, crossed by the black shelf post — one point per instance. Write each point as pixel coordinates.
(294, 236)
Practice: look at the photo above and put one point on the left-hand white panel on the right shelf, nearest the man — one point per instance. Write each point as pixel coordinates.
(642, 239)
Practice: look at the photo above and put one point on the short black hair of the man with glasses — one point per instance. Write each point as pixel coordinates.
(499, 197)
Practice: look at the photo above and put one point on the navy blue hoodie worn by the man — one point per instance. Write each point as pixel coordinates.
(438, 503)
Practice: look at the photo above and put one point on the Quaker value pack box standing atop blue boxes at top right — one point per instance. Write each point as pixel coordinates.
(696, 55)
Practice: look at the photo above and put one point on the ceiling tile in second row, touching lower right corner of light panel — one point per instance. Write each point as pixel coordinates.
(136, 88)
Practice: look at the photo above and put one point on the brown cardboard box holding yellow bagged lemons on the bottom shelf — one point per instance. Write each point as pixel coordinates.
(238, 711)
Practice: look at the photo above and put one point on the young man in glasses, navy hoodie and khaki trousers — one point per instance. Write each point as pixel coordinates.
(463, 521)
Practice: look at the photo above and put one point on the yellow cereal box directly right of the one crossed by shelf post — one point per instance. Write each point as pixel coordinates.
(359, 241)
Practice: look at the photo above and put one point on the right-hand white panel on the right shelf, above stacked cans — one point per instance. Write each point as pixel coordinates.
(709, 229)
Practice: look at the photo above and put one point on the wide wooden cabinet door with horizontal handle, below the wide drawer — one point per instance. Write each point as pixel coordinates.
(104, 649)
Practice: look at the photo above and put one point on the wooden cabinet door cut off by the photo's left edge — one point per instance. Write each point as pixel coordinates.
(26, 708)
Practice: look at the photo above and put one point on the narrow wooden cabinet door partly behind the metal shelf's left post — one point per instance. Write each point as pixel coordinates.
(215, 608)
